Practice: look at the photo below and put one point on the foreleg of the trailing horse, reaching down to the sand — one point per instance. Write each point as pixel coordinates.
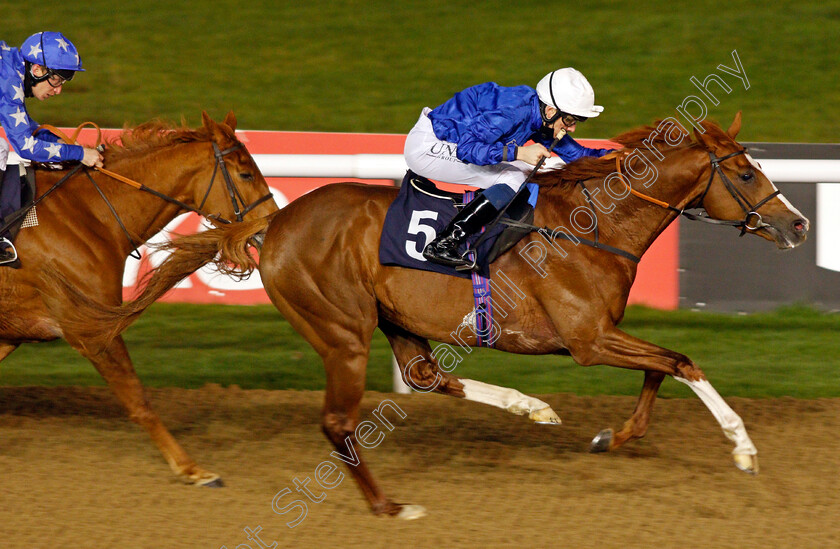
(115, 366)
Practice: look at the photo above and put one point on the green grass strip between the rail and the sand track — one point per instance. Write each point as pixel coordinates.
(789, 352)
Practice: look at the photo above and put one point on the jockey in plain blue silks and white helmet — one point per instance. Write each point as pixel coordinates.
(478, 138)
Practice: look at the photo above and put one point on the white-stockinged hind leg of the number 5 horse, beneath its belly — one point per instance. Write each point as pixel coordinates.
(421, 371)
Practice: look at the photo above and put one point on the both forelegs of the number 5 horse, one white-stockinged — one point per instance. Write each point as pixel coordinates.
(616, 348)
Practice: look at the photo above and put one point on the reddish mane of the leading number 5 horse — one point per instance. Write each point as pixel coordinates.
(589, 167)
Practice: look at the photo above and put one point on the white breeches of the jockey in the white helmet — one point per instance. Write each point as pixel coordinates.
(432, 158)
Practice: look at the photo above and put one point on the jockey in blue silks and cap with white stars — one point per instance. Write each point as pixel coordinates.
(39, 69)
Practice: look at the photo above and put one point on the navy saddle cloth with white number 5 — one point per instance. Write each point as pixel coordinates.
(421, 211)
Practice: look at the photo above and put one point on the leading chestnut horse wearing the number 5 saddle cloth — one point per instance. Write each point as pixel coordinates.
(319, 264)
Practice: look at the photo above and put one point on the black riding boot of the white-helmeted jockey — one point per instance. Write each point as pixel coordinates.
(443, 250)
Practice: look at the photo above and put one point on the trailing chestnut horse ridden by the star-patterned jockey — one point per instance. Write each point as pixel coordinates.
(79, 236)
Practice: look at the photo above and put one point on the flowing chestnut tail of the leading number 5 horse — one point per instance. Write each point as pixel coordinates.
(95, 325)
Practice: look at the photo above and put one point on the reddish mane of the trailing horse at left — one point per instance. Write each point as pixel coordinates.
(155, 134)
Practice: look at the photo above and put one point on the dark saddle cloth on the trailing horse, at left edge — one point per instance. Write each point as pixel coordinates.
(17, 194)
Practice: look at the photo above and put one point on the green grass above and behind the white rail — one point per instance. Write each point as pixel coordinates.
(372, 66)
